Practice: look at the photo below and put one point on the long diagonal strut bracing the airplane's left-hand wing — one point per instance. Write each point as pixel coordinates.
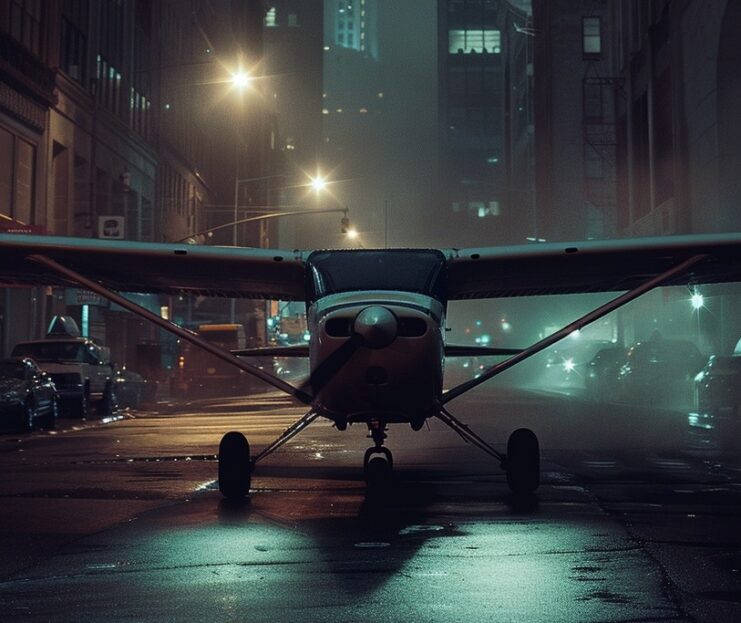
(184, 334)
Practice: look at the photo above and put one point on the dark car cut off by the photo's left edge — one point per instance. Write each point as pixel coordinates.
(27, 395)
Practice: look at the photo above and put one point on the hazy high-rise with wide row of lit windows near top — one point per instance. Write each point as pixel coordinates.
(485, 128)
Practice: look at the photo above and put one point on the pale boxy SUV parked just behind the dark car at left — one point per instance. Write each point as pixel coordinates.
(81, 370)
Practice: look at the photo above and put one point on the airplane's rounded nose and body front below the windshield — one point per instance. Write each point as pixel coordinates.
(393, 374)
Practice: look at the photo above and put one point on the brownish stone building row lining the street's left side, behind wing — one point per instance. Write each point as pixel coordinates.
(101, 105)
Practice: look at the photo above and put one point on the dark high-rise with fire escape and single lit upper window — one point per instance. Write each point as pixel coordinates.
(575, 133)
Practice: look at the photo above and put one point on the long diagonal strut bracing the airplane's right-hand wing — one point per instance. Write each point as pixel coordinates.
(596, 314)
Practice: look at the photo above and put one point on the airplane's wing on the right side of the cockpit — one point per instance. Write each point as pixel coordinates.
(605, 266)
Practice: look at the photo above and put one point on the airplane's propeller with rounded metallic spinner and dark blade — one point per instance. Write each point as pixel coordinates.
(374, 327)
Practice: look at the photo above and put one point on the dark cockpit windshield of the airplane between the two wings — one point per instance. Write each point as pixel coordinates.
(408, 270)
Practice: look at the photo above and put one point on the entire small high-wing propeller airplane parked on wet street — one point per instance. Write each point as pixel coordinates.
(376, 317)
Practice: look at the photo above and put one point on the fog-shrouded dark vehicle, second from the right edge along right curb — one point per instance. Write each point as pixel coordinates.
(661, 370)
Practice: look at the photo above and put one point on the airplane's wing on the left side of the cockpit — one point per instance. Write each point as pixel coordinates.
(155, 267)
